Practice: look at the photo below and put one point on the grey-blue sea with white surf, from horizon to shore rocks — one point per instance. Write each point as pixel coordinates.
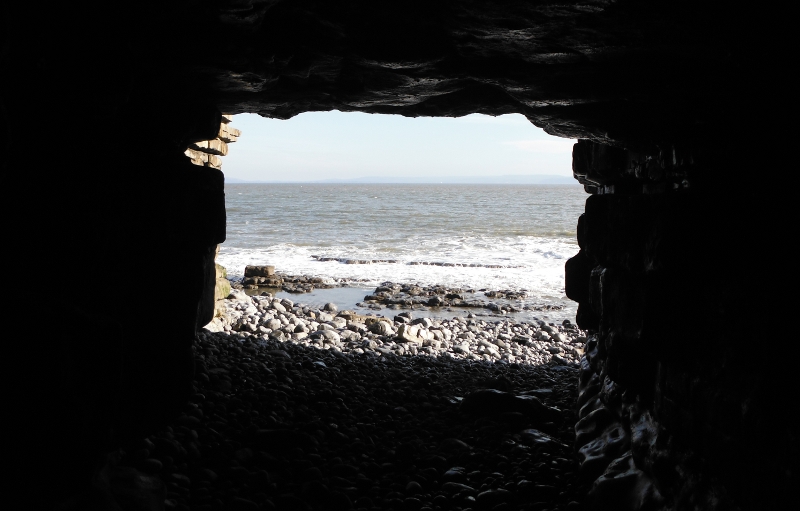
(471, 236)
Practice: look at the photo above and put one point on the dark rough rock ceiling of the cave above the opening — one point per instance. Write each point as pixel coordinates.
(618, 72)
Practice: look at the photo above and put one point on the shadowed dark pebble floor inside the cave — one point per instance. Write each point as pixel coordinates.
(281, 426)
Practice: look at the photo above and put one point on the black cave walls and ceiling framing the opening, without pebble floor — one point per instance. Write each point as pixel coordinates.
(683, 115)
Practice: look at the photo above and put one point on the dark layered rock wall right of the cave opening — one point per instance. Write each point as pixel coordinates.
(680, 392)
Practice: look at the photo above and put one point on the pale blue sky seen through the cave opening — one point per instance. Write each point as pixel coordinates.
(337, 145)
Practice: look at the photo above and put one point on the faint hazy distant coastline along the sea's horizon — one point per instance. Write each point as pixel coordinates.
(531, 179)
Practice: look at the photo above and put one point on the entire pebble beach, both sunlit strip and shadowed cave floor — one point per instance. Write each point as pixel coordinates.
(332, 411)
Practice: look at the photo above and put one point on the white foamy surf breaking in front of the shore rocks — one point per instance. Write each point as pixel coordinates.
(532, 263)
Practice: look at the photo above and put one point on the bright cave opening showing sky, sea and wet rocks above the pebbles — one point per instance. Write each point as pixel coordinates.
(478, 212)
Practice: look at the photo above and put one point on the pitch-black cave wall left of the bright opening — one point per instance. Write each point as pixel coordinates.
(101, 206)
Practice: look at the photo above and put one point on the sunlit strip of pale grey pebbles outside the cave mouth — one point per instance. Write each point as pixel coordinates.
(267, 318)
